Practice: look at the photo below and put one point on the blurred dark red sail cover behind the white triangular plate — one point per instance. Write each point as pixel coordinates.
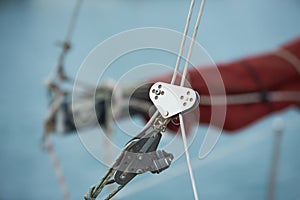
(274, 71)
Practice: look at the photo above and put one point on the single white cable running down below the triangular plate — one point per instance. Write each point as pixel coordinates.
(187, 155)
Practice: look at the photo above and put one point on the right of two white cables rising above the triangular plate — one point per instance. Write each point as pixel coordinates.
(192, 43)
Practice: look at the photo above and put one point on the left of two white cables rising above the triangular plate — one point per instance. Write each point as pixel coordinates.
(186, 28)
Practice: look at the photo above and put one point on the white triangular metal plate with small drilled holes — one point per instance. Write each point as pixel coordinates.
(171, 99)
